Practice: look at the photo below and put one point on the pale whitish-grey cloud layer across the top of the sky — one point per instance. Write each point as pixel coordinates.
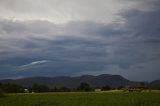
(62, 11)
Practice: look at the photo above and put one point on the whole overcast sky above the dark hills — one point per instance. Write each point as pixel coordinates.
(79, 37)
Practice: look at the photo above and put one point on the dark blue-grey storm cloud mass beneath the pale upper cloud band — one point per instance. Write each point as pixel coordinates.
(83, 47)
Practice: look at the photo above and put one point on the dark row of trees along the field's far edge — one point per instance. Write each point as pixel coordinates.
(15, 88)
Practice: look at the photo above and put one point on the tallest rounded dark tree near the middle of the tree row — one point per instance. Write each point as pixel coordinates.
(85, 87)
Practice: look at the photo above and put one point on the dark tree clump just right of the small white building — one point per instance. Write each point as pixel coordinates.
(40, 88)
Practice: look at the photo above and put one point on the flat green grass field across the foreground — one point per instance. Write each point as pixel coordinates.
(82, 99)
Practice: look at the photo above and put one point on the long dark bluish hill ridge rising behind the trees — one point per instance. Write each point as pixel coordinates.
(73, 82)
